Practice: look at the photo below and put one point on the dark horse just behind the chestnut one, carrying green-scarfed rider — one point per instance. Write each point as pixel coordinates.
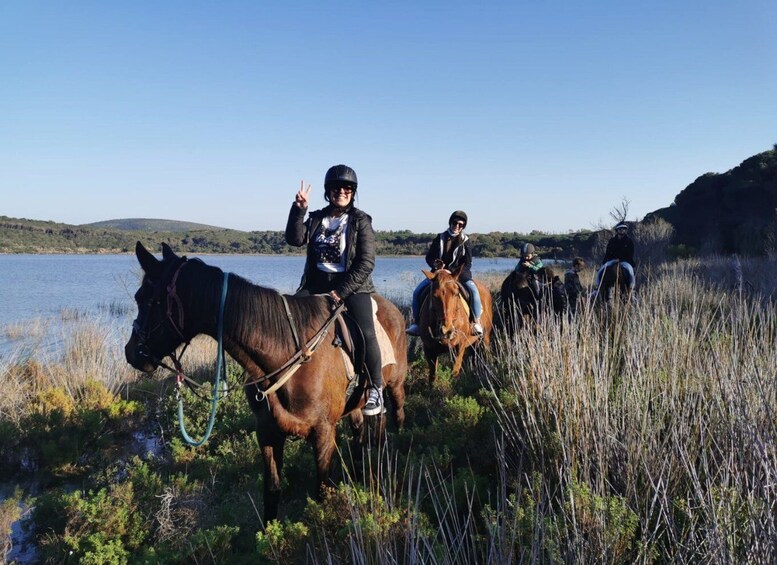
(522, 306)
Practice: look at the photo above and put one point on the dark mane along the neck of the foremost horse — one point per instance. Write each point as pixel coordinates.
(256, 316)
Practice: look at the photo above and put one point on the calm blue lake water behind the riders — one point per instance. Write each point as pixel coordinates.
(51, 289)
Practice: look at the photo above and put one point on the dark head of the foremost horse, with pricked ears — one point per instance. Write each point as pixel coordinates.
(157, 330)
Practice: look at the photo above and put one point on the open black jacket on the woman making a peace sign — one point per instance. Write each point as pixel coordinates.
(359, 249)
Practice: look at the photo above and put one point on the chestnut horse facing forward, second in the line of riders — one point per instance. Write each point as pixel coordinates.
(445, 321)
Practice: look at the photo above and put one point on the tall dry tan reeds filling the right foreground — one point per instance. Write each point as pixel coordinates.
(668, 403)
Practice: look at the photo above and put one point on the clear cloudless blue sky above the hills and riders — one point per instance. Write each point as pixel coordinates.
(528, 115)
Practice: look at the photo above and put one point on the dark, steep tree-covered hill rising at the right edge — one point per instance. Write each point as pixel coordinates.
(732, 212)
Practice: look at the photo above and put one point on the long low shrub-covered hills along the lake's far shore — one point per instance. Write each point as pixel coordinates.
(119, 236)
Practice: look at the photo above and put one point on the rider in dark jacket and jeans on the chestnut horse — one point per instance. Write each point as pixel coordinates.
(450, 250)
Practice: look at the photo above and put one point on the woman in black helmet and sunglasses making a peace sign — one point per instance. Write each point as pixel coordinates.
(340, 260)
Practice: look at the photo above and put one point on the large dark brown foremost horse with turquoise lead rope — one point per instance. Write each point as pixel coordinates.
(179, 299)
